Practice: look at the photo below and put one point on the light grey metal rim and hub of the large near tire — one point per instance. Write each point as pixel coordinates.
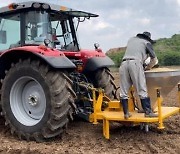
(28, 101)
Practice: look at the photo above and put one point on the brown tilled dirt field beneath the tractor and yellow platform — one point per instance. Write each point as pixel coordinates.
(83, 137)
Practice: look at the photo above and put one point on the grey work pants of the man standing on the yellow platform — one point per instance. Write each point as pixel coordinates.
(132, 73)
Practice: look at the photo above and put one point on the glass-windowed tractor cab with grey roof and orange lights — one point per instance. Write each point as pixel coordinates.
(34, 24)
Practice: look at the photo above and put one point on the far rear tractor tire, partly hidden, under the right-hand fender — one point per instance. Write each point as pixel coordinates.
(102, 78)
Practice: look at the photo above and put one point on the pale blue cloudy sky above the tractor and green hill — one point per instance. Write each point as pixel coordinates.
(121, 19)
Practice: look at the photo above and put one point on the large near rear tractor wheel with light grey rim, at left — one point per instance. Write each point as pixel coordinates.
(37, 102)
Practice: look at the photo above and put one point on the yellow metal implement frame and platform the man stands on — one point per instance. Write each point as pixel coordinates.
(114, 112)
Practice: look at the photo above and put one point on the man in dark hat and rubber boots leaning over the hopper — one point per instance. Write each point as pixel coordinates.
(138, 49)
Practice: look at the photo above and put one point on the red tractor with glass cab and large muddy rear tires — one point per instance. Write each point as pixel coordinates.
(41, 68)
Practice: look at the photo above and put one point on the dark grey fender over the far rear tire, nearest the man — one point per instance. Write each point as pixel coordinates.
(95, 63)
